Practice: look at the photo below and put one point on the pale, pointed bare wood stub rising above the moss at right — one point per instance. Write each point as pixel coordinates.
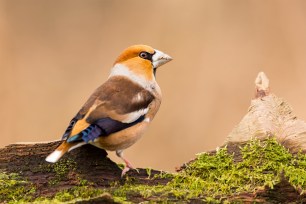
(267, 116)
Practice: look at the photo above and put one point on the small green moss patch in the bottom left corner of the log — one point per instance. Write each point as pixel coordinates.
(13, 188)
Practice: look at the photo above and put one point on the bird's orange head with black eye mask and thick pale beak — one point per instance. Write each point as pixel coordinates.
(142, 60)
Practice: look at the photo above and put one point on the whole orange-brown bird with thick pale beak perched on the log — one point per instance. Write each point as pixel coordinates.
(119, 111)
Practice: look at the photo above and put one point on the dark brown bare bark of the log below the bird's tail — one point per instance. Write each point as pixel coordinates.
(84, 166)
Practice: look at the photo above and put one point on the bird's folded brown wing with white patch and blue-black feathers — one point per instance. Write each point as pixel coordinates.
(118, 104)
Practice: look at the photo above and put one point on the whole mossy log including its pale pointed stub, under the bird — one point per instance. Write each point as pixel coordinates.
(249, 167)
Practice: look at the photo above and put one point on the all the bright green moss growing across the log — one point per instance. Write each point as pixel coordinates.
(210, 178)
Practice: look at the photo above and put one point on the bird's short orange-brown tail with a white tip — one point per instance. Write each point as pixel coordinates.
(61, 150)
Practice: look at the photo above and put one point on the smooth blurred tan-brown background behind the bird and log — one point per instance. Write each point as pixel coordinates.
(53, 54)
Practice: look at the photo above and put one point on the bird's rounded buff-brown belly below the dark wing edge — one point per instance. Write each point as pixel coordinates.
(122, 139)
